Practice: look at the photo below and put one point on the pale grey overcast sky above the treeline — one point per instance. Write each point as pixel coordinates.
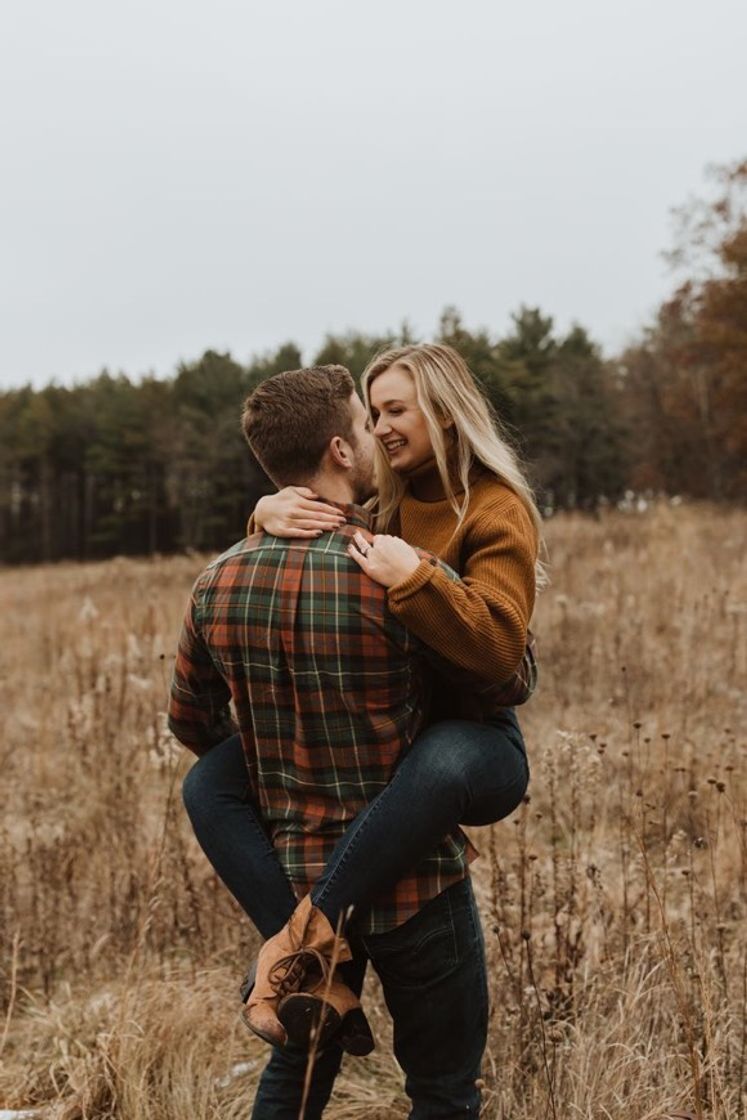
(179, 176)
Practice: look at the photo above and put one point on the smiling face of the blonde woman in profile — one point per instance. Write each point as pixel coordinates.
(399, 423)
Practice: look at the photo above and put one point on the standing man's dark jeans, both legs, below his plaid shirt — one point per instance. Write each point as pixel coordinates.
(433, 973)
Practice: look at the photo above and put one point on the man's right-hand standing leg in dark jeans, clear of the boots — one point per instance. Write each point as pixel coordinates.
(433, 972)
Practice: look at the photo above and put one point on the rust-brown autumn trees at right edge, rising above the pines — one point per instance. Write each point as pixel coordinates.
(687, 381)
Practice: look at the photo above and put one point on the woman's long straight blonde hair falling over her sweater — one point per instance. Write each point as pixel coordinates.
(446, 389)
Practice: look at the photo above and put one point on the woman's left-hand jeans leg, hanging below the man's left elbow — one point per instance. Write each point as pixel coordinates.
(217, 797)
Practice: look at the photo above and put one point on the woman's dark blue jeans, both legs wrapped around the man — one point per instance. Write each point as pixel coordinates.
(455, 773)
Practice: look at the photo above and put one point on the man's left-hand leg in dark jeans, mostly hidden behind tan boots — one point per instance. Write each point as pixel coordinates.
(281, 1090)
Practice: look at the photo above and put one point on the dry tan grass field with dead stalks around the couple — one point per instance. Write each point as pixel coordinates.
(614, 903)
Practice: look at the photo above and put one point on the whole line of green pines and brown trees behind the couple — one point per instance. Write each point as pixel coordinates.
(135, 466)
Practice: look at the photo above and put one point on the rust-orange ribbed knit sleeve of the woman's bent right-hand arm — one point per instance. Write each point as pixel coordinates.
(479, 622)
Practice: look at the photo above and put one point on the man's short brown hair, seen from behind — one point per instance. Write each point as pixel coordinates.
(291, 419)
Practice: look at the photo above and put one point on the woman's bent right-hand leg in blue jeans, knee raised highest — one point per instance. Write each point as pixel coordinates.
(455, 773)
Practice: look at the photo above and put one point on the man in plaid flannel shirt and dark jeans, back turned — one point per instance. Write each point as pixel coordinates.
(330, 690)
